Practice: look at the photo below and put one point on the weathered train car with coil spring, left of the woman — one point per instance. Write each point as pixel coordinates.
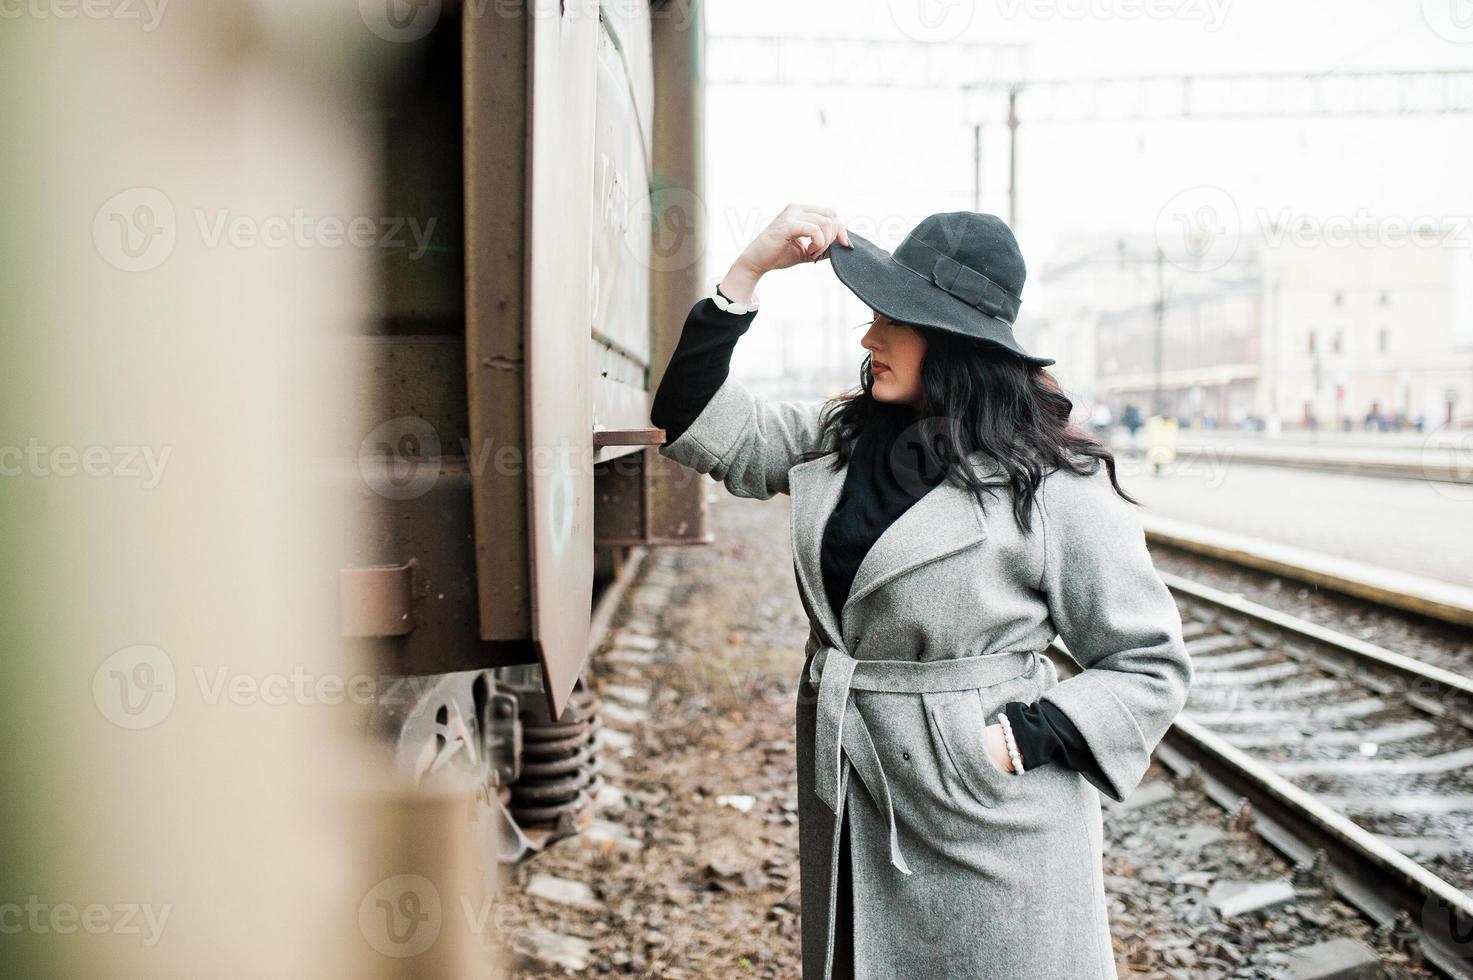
(509, 471)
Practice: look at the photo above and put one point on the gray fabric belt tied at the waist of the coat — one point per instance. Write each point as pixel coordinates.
(842, 732)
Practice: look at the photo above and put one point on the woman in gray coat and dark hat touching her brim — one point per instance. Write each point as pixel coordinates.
(949, 522)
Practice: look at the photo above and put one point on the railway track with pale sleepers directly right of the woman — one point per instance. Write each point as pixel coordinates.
(1343, 748)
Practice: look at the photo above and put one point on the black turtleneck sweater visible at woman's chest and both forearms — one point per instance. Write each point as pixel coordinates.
(877, 491)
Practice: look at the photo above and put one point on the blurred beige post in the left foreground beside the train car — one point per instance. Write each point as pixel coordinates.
(185, 730)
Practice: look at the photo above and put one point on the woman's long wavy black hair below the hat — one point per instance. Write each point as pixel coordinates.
(977, 396)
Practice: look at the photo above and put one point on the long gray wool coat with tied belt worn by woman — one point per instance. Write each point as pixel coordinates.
(960, 869)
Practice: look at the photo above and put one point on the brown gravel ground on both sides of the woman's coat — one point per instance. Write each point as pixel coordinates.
(690, 867)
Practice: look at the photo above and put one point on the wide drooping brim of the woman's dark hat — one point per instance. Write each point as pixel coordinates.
(907, 297)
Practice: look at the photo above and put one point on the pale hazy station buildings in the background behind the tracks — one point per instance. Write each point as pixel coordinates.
(1325, 326)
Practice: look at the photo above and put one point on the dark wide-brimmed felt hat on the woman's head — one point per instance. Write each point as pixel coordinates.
(958, 272)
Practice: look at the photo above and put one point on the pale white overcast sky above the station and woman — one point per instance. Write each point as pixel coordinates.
(887, 160)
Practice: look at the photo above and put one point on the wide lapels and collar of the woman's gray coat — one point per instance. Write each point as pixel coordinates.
(943, 522)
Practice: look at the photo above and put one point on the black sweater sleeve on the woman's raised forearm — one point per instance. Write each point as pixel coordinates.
(699, 366)
